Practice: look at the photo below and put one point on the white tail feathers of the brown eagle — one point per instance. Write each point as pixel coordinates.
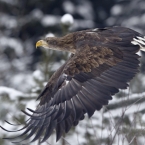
(139, 41)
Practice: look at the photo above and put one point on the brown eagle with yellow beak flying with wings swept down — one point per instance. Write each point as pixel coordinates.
(102, 61)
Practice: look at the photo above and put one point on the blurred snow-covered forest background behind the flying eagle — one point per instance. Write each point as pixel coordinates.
(24, 70)
